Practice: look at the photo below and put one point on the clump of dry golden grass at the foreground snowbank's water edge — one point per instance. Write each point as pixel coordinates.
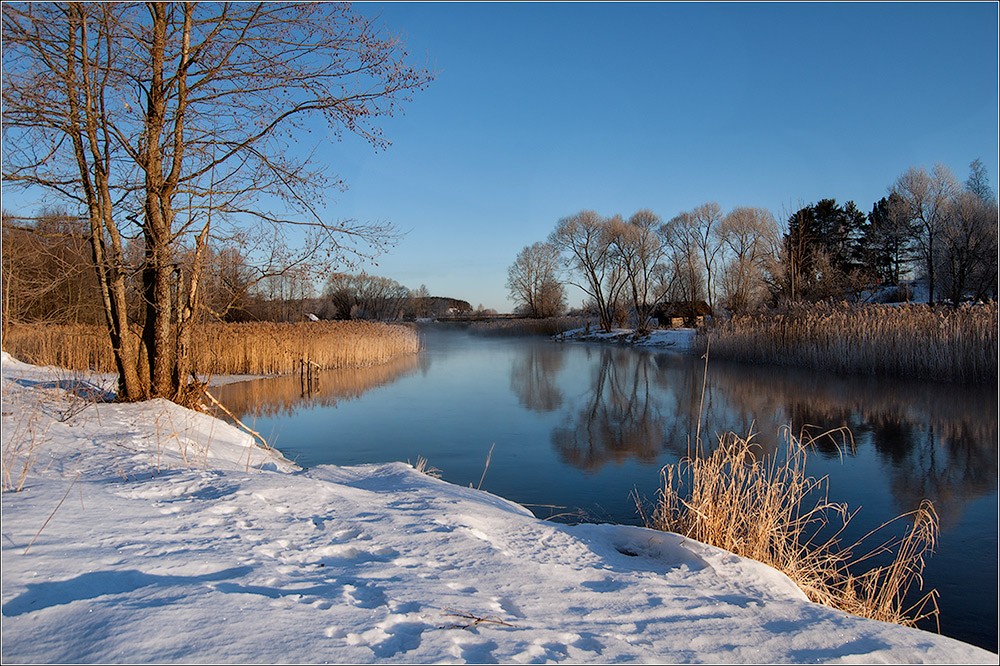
(767, 508)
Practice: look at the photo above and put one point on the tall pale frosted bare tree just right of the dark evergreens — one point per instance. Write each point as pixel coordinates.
(927, 198)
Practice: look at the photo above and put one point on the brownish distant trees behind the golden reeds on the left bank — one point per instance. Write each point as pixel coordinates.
(48, 276)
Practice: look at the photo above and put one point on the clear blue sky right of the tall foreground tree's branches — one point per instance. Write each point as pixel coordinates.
(539, 111)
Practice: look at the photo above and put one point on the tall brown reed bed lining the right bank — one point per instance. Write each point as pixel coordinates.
(942, 343)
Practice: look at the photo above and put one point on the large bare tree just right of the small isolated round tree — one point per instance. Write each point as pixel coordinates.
(586, 245)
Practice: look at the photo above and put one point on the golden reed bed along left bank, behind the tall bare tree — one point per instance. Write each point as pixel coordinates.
(250, 348)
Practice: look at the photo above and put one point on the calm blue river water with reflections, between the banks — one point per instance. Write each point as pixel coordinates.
(578, 429)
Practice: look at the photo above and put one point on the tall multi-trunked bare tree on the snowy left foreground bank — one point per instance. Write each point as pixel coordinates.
(169, 122)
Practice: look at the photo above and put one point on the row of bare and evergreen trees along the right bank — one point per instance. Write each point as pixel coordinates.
(928, 227)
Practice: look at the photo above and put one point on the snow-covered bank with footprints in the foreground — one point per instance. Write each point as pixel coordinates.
(150, 533)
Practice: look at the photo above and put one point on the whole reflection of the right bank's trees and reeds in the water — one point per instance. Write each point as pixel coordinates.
(934, 440)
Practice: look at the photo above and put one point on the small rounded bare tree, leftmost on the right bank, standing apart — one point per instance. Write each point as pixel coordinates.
(533, 283)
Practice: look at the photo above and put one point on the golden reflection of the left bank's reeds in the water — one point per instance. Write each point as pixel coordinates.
(287, 394)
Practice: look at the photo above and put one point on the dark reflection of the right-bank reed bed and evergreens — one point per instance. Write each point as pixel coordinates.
(937, 441)
